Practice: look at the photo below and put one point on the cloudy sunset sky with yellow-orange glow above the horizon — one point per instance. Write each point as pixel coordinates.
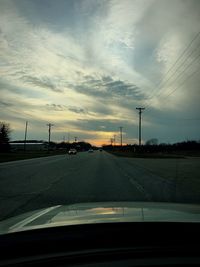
(85, 65)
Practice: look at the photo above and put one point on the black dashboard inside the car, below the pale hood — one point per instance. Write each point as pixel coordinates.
(105, 244)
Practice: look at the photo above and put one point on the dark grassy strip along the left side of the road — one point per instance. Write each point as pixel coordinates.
(19, 155)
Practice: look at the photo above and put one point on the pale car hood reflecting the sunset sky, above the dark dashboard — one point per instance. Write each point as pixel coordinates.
(101, 212)
